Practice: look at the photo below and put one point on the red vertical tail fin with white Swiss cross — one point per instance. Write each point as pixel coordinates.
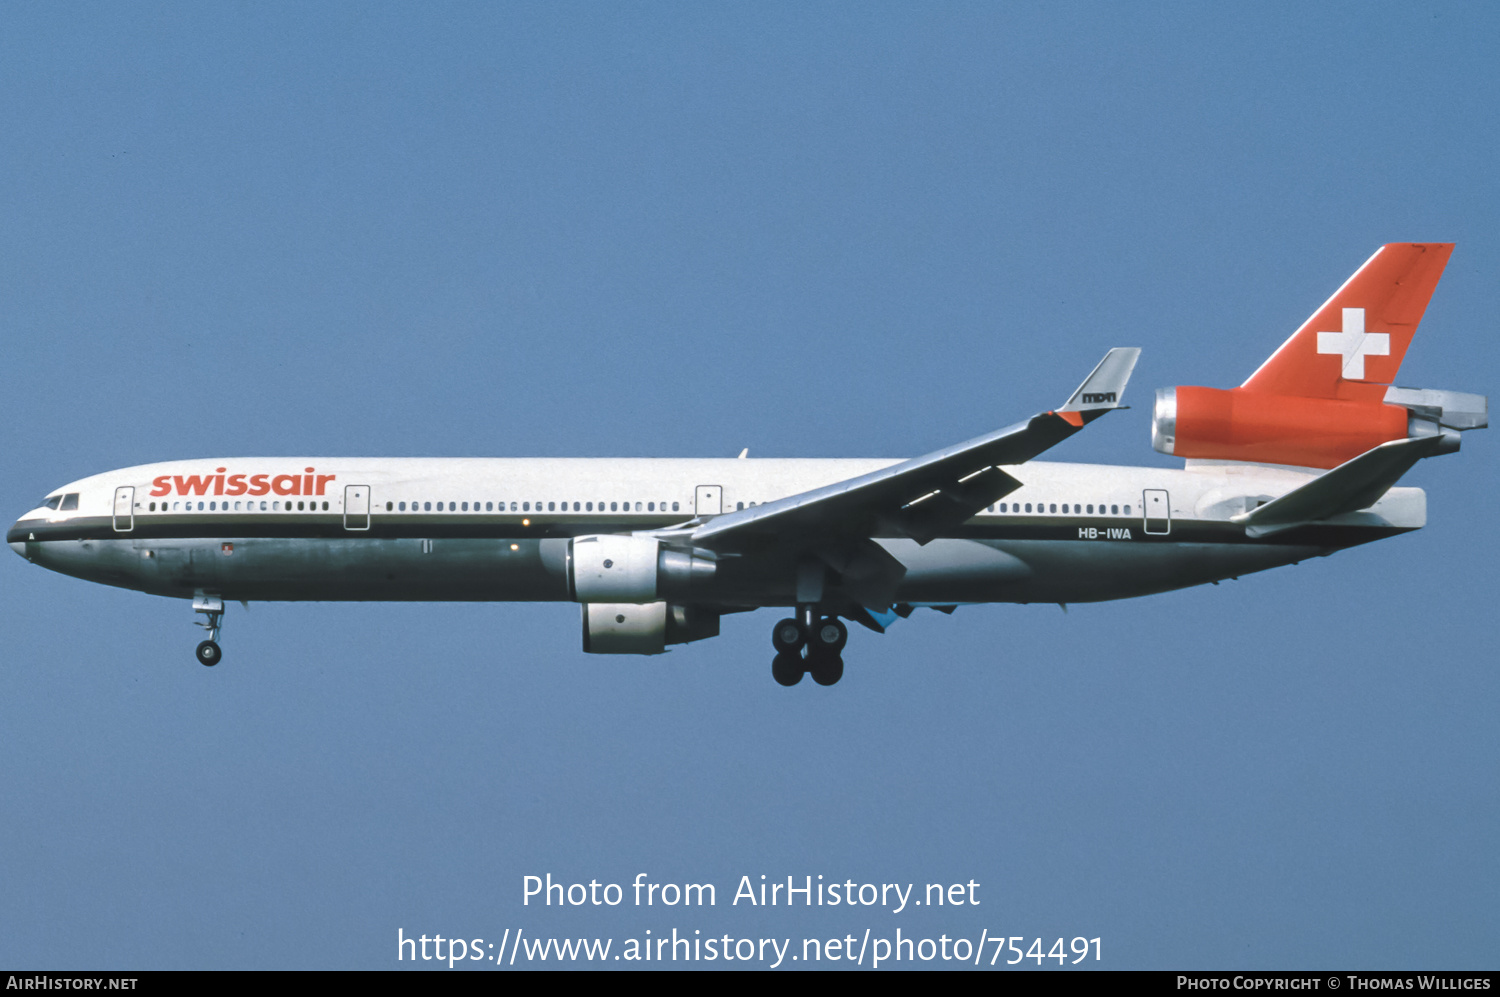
(1354, 346)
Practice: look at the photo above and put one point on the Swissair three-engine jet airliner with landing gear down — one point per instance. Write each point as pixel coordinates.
(1300, 461)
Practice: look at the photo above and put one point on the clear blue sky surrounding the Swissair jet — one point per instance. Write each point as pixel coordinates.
(682, 230)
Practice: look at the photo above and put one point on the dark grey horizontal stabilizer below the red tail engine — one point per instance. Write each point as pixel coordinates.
(1351, 487)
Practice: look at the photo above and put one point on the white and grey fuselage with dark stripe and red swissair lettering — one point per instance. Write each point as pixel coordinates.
(499, 528)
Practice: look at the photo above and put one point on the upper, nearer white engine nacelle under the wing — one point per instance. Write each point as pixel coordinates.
(616, 569)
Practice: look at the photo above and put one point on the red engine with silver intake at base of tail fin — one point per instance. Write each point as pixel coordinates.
(1309, 433)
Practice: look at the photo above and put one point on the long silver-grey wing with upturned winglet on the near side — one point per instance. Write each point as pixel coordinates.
(925, 497)
